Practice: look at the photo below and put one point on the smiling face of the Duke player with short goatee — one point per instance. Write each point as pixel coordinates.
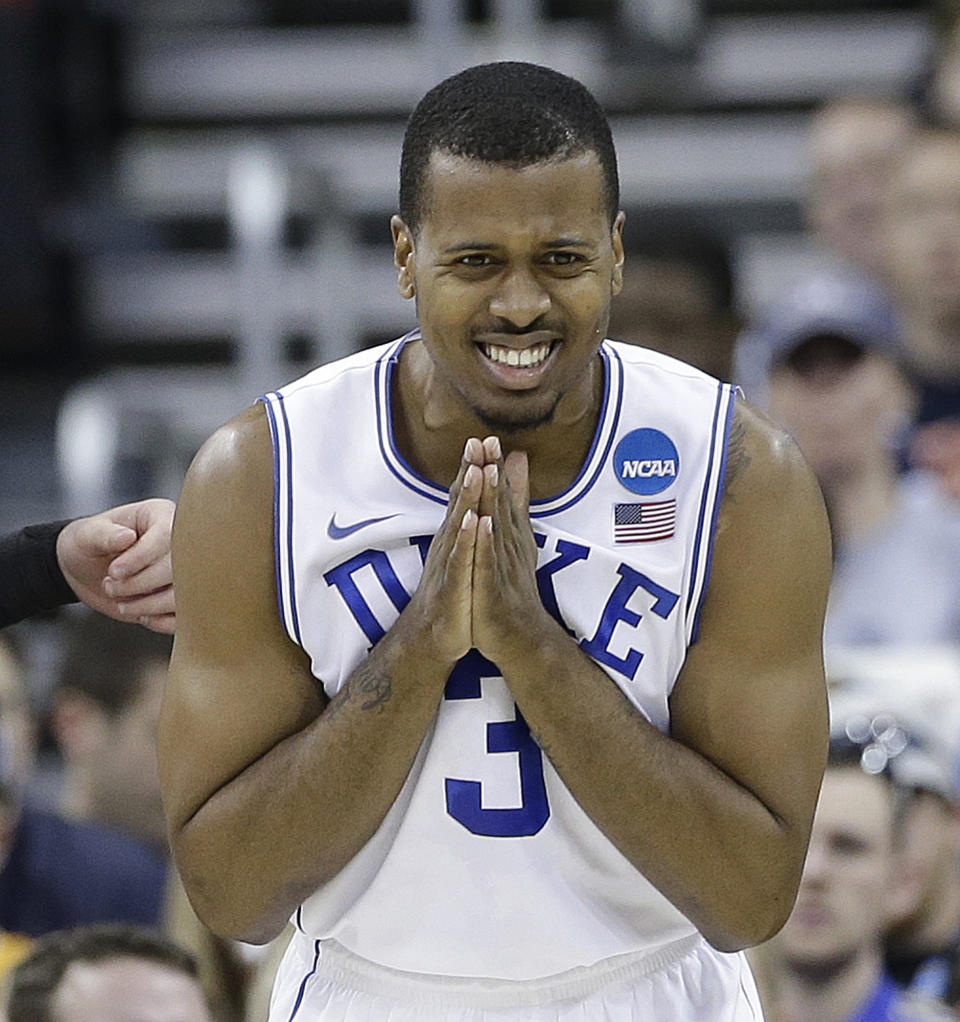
(514, 271)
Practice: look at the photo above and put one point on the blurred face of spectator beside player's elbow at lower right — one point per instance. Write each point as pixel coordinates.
(847, 891)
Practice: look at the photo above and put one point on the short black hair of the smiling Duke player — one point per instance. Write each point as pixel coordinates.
(508, 113)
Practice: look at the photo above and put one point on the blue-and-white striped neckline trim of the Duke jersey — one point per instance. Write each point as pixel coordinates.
(395, 462)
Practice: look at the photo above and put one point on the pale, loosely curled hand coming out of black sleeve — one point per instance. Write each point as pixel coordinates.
(118, 563)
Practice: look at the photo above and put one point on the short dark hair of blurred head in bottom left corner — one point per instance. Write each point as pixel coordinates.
(34, 982)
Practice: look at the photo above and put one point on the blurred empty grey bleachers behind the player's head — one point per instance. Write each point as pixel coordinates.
(195, 196)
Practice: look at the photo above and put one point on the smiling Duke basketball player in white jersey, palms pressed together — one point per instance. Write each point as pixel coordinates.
(498, 666)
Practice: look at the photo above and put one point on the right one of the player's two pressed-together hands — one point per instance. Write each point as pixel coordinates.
(508, 611)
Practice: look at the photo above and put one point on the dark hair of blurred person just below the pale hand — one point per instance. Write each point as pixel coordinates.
(106, 661)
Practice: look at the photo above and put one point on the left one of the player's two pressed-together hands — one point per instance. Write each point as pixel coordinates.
(439, 613)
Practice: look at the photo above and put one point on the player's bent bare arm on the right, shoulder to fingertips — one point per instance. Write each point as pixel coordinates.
(718, 814)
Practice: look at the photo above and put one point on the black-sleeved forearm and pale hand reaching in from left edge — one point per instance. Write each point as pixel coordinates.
(117, 563)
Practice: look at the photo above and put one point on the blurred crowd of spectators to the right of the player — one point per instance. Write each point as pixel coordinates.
(860, 361)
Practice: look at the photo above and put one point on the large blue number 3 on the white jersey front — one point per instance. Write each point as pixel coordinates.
(465, 798)
